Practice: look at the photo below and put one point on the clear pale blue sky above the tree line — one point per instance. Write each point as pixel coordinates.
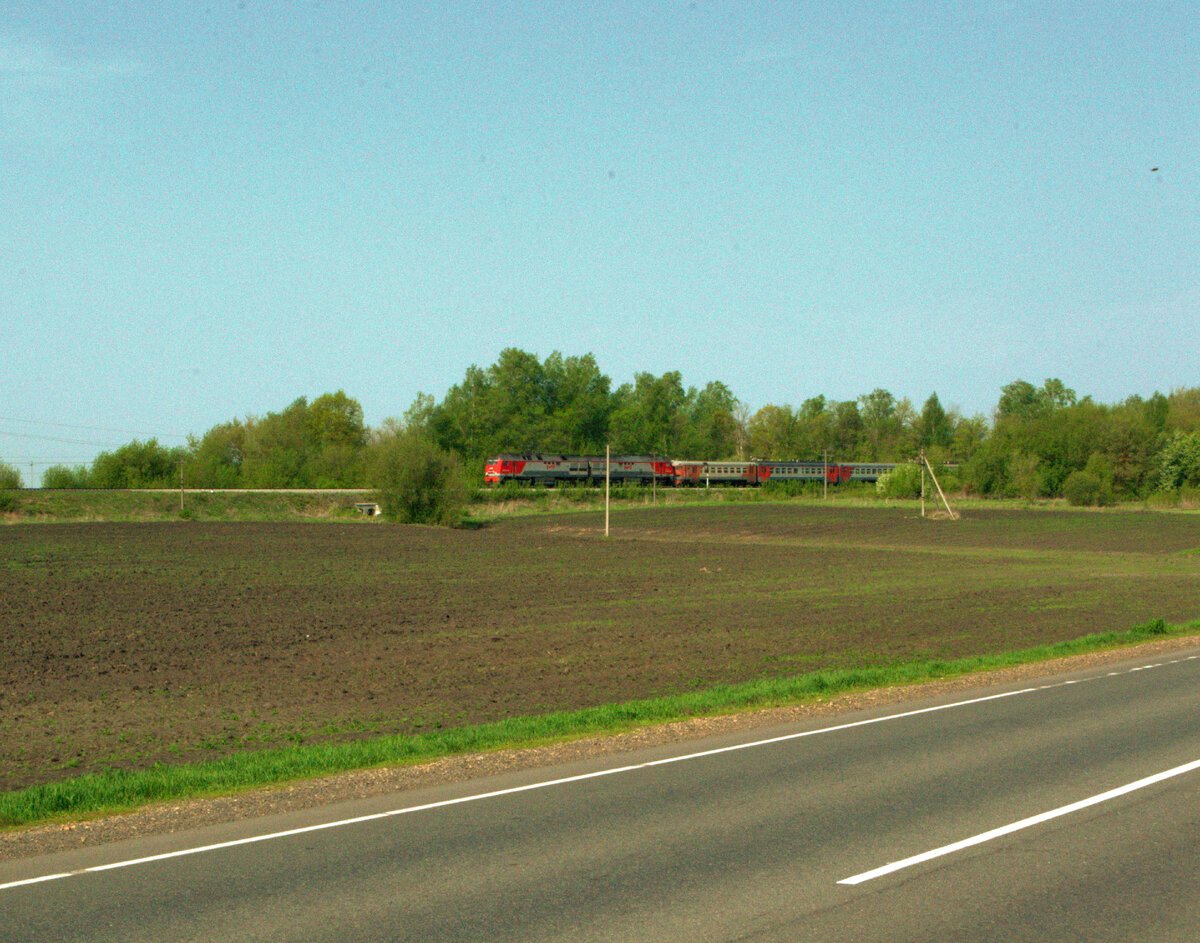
(209, 209)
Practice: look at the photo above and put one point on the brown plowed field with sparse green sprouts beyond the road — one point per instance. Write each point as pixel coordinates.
(128, 645)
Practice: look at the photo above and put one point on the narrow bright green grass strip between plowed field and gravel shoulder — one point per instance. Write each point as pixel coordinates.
(121, 791)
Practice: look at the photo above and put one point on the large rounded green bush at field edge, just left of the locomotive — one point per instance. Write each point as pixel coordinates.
(417, 482)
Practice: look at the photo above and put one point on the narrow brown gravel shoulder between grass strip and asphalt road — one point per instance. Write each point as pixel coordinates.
(172, 818)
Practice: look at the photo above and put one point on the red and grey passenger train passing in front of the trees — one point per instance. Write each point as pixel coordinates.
(549, 471)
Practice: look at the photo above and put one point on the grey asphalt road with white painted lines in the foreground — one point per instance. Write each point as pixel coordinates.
(1069, 810)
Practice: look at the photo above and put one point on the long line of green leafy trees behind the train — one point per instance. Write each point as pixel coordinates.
(1041, 441)
